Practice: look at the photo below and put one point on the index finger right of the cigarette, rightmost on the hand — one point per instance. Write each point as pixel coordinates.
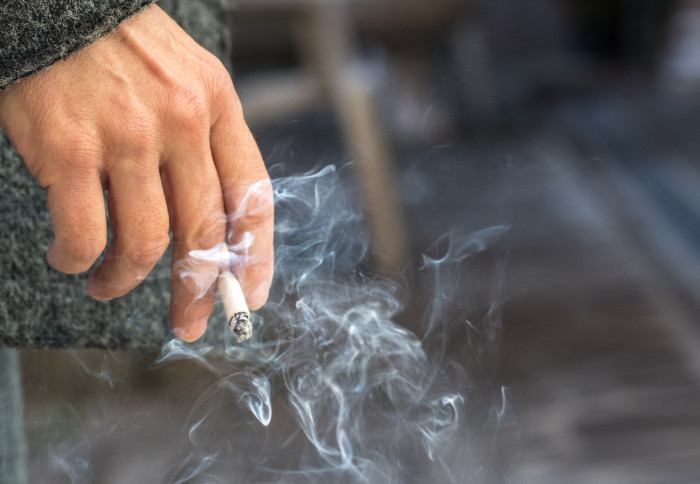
(248, 200)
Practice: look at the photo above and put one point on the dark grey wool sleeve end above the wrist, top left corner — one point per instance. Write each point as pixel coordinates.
(34, 34)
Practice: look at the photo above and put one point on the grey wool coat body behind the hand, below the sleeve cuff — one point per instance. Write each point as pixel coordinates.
(42, 308)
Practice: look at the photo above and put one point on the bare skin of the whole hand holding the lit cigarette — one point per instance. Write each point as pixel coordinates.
(153, 118)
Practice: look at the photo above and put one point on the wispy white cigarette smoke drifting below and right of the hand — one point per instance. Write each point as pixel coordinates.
(331, 388)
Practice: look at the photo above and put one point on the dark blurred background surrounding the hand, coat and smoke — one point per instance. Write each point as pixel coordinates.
(573, 122)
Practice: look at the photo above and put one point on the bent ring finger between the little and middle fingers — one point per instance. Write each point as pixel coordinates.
(139, 218)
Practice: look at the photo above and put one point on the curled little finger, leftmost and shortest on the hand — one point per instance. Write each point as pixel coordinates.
(76, 206)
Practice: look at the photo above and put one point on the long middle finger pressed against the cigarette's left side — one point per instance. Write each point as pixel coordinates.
(198, 224)
